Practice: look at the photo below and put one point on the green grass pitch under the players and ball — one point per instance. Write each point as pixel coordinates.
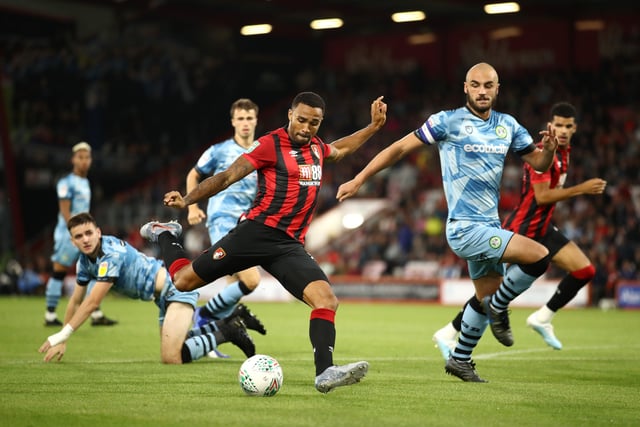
(113, 377)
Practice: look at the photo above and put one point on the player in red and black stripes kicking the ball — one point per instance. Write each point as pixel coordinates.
(289, 164)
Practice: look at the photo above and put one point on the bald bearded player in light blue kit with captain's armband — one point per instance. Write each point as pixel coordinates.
(473, 142)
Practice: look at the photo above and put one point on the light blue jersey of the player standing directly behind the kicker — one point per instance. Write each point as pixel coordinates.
(224, 209)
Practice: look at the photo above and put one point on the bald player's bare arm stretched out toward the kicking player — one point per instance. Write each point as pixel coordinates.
(382, 160)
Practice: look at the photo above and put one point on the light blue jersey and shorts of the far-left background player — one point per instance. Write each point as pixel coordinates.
(76, 189)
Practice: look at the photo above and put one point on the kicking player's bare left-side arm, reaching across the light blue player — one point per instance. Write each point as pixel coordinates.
(240, 168)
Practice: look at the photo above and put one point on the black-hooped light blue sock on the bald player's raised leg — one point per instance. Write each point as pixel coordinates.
(519, 278)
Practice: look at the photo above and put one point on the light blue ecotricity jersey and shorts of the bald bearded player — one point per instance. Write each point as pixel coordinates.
(472, 155)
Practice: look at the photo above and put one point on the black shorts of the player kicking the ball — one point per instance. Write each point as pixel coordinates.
(250, 244)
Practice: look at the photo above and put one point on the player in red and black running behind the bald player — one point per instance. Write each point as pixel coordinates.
(533, 218)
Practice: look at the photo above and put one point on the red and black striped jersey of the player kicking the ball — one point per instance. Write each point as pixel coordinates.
(289, 179)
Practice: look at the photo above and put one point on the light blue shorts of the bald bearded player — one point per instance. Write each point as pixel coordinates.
(481, 244)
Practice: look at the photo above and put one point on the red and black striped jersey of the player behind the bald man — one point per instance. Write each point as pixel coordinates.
(529, 218)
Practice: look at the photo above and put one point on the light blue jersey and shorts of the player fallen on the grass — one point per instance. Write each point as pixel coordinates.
(132, 273)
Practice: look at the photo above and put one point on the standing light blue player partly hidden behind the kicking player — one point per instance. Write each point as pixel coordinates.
(225, 208)
